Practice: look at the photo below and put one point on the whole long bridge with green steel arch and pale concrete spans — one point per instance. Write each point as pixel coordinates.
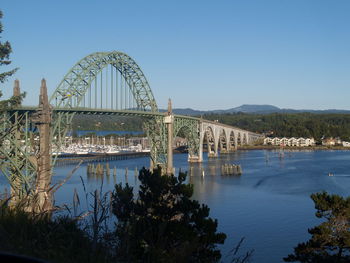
(103, 83)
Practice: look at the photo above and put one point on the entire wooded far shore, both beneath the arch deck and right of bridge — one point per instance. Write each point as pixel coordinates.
(275, 124)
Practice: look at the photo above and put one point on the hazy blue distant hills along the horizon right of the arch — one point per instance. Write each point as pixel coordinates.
(252, 108)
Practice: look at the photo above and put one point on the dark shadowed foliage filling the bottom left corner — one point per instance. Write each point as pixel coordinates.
(59, 239)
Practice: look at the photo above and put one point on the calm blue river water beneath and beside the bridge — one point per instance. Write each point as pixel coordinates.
(269, 204)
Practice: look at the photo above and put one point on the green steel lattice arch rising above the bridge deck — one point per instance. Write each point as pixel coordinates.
(76, 83)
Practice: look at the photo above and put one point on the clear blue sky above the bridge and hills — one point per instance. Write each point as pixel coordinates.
(202, 54)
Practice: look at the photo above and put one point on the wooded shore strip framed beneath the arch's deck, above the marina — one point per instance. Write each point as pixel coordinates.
(107, 123)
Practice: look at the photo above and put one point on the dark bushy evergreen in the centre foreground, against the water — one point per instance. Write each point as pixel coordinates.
(163, 224)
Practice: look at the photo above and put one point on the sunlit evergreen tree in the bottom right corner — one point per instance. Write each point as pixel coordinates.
(330, 241)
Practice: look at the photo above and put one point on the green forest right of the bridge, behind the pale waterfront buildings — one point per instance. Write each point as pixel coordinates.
(290, 124)
